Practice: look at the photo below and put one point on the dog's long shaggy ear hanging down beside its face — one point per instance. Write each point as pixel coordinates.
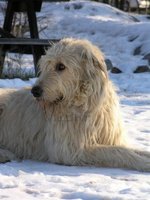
(94, 76)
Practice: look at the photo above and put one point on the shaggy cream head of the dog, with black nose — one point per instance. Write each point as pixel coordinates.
(72, 71)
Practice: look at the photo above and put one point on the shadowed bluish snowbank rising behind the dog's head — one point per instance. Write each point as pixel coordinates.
(117, 33)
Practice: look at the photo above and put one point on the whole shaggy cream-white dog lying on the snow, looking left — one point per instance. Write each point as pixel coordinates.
(71, 115)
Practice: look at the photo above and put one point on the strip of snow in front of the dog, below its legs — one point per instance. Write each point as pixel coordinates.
(33, 180)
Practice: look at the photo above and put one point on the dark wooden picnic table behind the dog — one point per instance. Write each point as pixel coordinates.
(33, 45)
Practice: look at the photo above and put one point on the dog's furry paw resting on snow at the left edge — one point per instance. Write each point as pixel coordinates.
(6, 156)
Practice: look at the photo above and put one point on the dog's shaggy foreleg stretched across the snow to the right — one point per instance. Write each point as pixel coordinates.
(110, 156)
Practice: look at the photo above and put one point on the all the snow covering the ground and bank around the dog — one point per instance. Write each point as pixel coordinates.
(118, 34)
